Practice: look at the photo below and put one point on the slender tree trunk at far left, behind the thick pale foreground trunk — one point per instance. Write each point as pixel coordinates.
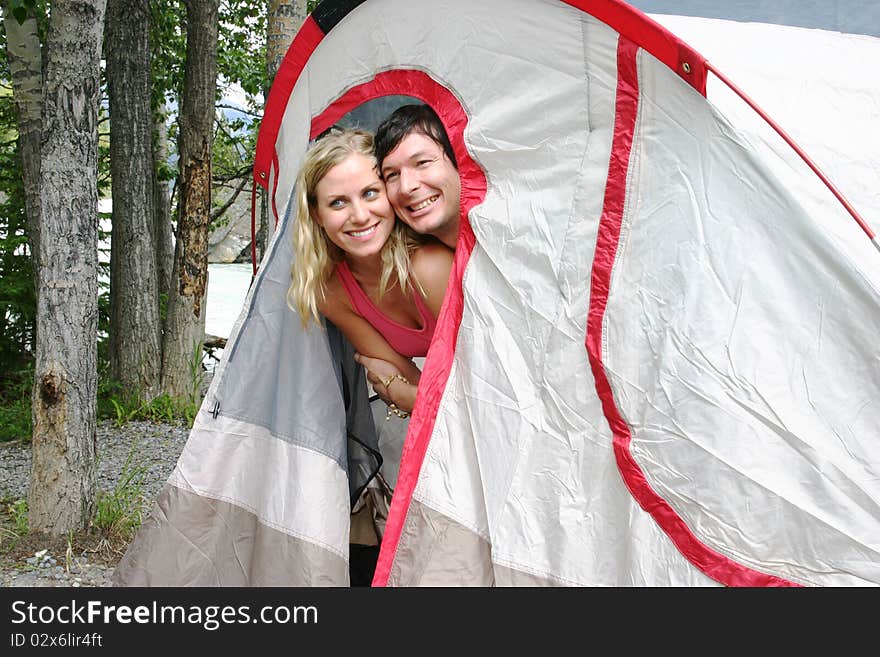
(25, 67)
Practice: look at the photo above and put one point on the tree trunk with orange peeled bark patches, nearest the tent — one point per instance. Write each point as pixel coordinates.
(185, 323)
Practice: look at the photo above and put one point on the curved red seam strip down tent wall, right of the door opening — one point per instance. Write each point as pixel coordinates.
(710, 562)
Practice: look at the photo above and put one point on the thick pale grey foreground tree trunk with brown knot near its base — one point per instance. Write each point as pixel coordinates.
(62, 492)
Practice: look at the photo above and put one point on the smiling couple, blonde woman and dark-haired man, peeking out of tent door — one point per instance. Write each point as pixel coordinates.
(376, 224)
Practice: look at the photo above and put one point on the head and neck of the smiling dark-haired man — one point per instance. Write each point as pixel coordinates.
(418, 165)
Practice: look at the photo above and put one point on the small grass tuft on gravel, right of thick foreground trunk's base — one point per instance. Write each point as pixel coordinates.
(118, 513)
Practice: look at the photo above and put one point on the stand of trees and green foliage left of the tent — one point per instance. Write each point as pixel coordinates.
(118, 99)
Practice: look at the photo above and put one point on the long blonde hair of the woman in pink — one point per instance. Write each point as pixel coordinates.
(315, 256)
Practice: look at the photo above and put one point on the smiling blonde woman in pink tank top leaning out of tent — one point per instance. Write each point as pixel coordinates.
(379, 282)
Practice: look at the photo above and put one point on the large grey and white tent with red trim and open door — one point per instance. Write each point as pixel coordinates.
(656, 363)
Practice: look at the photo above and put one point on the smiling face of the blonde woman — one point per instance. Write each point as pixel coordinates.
(352, 207)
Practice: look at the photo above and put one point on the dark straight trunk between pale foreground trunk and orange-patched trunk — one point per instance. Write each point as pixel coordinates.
(135, 326)
